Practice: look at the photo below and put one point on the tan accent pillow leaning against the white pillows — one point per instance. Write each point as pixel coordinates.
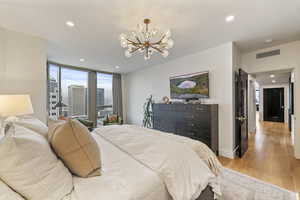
(74, 144)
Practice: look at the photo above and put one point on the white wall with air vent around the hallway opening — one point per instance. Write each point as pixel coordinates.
(288, 59)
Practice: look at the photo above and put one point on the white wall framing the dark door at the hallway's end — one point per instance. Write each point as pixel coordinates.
(286, 100)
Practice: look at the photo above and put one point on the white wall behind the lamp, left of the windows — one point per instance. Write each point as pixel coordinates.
(23, 68)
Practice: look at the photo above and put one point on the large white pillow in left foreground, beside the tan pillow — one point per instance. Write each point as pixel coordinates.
(29, 166)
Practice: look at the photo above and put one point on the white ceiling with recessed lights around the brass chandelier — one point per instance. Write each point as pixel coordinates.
(196, 25)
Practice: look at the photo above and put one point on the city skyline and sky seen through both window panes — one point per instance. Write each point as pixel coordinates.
(68, 93)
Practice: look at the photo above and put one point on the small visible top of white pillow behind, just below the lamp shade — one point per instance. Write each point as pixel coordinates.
(33, 124)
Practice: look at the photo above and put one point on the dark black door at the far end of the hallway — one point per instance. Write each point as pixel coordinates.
(273, 104)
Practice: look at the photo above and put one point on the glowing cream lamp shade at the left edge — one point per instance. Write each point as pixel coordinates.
(14, 105)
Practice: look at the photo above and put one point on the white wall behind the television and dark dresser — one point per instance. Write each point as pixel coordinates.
(155, 80)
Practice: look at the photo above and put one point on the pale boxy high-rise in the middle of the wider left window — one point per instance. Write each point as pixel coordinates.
(77, 100)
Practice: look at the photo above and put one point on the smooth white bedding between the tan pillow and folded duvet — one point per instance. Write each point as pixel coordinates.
(123, 178)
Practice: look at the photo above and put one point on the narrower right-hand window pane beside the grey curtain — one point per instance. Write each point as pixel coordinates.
(104, 102)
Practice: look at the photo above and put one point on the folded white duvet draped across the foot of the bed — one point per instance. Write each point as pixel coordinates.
(182, 171)
